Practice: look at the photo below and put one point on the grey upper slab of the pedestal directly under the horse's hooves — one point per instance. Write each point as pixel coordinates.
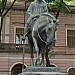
(41, 69)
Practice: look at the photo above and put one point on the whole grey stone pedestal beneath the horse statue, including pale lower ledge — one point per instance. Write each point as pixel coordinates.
(41, 71)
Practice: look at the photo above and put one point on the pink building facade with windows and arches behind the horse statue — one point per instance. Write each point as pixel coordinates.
(63, 53)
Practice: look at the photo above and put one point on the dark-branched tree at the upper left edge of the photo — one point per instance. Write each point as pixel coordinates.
(3, 13)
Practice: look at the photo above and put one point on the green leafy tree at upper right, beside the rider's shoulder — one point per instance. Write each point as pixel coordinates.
(61, 5)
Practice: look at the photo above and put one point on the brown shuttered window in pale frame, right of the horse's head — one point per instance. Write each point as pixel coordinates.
(71, 38)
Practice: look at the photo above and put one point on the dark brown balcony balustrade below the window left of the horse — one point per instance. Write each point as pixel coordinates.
(15, 48)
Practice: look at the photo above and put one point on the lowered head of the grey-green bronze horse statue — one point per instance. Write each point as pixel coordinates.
(50, 30)
